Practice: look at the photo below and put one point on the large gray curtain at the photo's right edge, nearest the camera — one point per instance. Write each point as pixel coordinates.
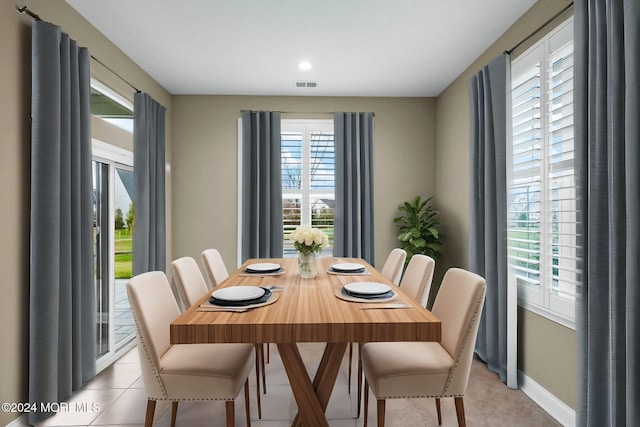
(607, 138)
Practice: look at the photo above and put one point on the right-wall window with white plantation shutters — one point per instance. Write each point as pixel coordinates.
(541, 184)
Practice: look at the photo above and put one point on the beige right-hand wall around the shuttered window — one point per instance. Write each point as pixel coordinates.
(555, 369)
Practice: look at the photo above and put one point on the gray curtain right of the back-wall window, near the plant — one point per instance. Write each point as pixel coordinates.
(353, 221)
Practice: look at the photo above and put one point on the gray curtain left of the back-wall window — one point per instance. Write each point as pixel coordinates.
(262, 229)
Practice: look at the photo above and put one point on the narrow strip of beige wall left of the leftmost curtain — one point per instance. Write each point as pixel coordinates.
(14, 172)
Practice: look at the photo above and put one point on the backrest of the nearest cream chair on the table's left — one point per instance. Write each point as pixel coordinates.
(154, 308)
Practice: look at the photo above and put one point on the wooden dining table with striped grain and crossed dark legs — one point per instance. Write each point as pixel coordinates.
(302, 310)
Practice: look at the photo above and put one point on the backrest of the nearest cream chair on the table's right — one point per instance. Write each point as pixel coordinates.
(458, 305)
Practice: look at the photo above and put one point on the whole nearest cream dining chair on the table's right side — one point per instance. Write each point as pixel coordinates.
(430, 369)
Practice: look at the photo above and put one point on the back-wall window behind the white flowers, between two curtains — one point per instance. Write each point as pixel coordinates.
(308, 177)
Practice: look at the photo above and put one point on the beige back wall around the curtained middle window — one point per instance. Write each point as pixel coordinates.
(205, 162)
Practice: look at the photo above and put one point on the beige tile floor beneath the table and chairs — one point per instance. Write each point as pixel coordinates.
(119, 392)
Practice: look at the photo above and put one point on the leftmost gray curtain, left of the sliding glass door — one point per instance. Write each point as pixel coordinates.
(62, 294)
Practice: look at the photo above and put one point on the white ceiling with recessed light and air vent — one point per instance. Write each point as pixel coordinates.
(253, 47)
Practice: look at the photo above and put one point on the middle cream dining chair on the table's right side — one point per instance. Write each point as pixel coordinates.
(416, 282)
